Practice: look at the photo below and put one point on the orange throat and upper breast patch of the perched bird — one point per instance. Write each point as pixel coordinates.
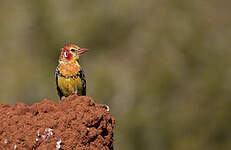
(69, 69)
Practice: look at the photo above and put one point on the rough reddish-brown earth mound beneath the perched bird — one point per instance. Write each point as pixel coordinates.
(74, 123)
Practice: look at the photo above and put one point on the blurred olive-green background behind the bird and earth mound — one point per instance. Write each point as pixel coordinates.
(163, 67)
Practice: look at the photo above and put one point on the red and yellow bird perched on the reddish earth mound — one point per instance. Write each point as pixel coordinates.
(69, 75)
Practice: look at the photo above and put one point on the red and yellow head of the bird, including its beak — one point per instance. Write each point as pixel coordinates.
(71, 52)
